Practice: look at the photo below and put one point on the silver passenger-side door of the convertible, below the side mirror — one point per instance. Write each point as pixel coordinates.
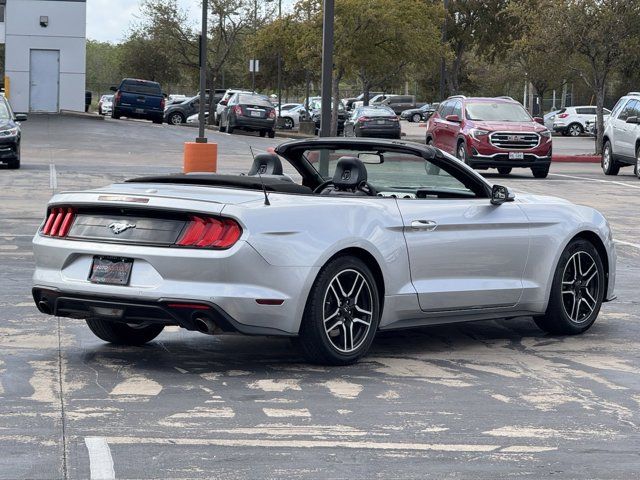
(465, 254)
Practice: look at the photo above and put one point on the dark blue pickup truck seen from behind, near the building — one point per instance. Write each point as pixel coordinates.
(136, 98)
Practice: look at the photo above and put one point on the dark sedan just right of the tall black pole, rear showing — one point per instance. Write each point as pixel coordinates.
(373, 121)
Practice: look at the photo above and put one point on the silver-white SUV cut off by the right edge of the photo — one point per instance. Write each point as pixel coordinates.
(621, 140)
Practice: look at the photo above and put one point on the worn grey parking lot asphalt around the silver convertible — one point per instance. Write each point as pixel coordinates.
(487, 400)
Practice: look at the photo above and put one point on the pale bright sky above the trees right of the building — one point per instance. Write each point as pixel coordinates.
(109, 20)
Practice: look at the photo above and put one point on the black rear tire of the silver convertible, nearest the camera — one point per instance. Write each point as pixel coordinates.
(315, 341)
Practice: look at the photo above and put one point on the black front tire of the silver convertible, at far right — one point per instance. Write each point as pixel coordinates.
(557, 320)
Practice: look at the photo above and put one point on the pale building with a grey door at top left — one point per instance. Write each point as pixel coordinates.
(44, 54)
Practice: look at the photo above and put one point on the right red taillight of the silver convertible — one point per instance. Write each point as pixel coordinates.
(210, 233)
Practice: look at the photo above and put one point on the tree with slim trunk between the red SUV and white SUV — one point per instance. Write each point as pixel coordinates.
(601, 34)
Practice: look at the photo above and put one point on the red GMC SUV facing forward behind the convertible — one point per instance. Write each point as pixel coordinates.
(491, 133)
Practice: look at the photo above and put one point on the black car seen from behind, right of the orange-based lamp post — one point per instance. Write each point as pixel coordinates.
(249, 112)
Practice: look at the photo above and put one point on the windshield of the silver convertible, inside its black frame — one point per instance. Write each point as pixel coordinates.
(394, 174)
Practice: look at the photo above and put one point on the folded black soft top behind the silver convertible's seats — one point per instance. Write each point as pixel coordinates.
(271, 184)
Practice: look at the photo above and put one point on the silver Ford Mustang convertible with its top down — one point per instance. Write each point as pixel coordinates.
(376, 235)
